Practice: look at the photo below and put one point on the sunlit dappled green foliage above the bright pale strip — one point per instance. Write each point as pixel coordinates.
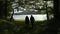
(35, 6)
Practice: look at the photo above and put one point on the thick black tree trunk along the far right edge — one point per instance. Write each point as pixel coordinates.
(56, 15)
